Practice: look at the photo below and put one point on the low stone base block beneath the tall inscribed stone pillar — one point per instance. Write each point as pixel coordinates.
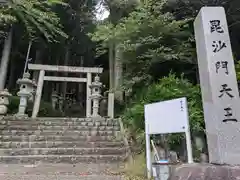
(206, 172)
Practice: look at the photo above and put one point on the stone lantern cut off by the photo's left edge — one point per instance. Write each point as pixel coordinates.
(4, 101)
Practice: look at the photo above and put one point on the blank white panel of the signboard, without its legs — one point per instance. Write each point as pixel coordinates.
(166, 117)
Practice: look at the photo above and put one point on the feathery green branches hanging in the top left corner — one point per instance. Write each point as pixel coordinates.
(35, 16)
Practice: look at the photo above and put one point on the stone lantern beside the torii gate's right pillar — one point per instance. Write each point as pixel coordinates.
(96, 95)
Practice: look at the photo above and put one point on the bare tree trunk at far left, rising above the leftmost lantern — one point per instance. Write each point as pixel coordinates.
(5, 60)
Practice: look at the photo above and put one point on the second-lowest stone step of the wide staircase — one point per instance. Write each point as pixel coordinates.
(62, 151)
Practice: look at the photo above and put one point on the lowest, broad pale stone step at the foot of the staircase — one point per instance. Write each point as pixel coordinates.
(49, 169)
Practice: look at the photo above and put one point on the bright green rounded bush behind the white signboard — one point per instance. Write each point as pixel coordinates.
(167, 88)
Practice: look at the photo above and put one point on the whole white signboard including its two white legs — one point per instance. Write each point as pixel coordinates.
(164, 118)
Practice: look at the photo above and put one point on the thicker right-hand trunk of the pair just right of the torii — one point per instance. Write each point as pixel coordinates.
(118, 69)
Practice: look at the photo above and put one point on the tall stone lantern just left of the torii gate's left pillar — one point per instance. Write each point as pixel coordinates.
(25, 92)
